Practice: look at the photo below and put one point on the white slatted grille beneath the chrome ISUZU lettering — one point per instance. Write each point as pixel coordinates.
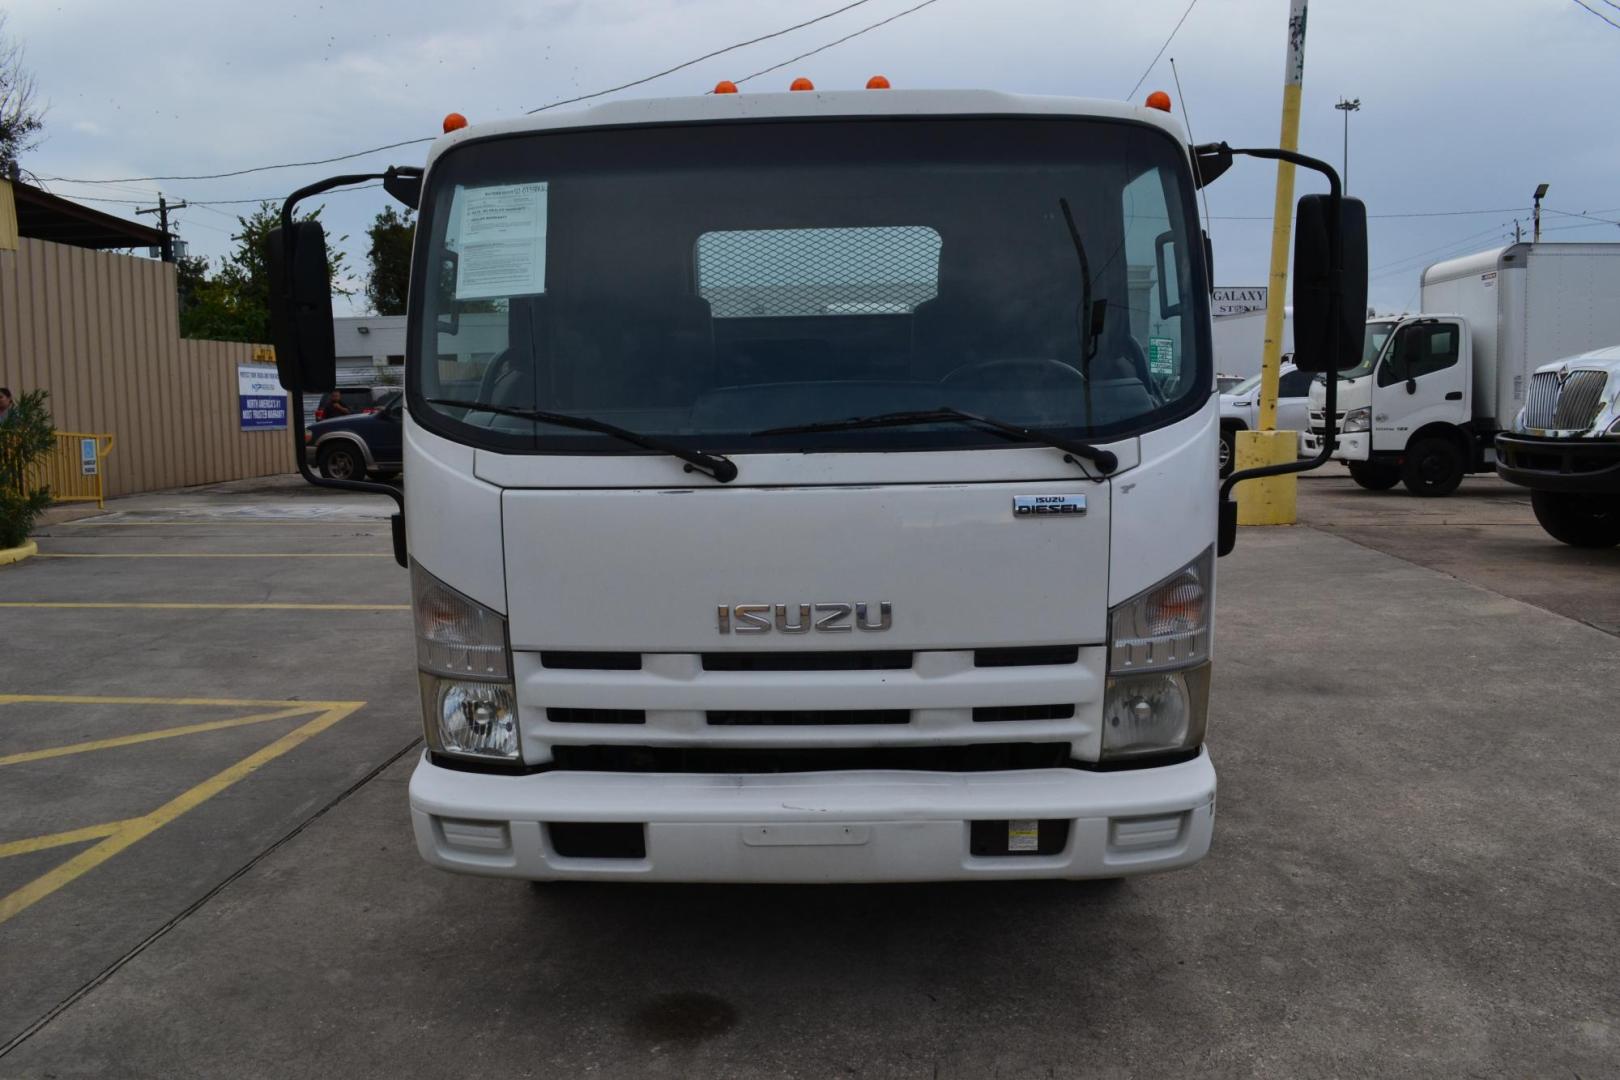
(782, 712)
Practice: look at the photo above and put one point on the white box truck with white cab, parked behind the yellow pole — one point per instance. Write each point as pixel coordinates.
(1426, 407)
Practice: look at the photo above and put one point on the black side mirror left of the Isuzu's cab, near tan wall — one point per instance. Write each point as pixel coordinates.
(302, 308)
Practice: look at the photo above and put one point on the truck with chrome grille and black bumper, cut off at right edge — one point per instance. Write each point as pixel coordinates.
(1566, 448)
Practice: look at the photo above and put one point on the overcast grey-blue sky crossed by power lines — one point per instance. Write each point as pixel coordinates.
(1465, 104)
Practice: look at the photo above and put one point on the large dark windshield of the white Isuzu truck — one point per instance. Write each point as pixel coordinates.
(706, 286)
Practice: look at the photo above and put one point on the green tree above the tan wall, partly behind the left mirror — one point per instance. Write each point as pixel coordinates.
(234, 304)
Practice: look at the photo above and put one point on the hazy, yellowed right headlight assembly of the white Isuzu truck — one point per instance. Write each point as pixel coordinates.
(1159, 668)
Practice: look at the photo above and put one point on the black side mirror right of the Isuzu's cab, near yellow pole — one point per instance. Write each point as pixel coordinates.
(1329, 307)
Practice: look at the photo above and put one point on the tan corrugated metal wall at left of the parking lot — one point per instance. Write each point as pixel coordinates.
(103, 334)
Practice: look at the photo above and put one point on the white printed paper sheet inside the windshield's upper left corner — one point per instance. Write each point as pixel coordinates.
(503, 244)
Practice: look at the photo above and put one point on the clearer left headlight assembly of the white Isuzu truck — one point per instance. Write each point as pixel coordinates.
(469, 702)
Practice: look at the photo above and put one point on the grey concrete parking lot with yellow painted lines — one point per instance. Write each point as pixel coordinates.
(207, 869)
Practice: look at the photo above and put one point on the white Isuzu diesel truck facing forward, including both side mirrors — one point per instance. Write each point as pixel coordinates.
(838, 504)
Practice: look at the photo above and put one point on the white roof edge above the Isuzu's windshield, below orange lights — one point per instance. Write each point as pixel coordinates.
(809, 106)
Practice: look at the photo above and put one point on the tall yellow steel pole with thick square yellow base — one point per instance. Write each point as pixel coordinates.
(1273, 500)
